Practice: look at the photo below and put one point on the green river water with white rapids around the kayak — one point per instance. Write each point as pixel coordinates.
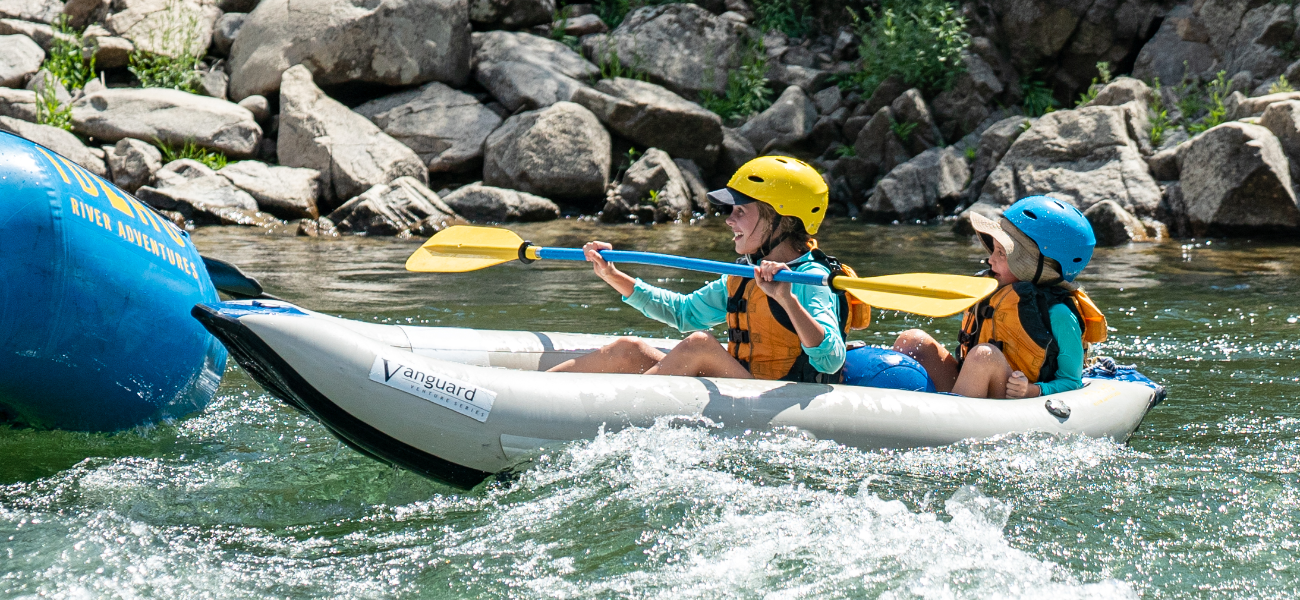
(250, 499)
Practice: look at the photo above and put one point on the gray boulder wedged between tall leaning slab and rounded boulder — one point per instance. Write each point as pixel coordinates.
(444, 127)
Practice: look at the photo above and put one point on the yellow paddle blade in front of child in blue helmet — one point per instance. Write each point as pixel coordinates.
(926, 294)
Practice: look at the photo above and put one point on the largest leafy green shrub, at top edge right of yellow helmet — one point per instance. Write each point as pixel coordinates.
(918, 41)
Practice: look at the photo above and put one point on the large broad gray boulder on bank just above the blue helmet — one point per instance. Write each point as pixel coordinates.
(1082, 156)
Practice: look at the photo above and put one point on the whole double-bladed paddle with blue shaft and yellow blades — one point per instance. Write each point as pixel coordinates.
(466, 249)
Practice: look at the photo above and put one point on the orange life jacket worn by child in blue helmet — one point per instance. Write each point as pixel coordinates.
(1016, 320)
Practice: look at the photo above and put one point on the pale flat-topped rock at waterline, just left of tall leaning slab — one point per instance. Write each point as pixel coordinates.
(284, 192)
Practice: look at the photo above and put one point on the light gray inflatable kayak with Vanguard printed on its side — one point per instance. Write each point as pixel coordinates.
(460, 405)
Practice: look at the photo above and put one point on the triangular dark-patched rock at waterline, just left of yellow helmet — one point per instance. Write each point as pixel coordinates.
(653, 190)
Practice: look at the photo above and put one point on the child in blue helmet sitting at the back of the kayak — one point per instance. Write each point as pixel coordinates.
(1028, 340)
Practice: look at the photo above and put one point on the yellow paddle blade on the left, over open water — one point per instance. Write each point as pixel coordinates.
(465, 249)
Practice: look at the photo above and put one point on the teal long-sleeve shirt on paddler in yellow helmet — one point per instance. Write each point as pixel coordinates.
(708, 307)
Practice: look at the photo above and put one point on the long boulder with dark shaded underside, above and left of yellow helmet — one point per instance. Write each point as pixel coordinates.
(652, 116)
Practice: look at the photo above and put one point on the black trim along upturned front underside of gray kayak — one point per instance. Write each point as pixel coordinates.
(272, 373)
